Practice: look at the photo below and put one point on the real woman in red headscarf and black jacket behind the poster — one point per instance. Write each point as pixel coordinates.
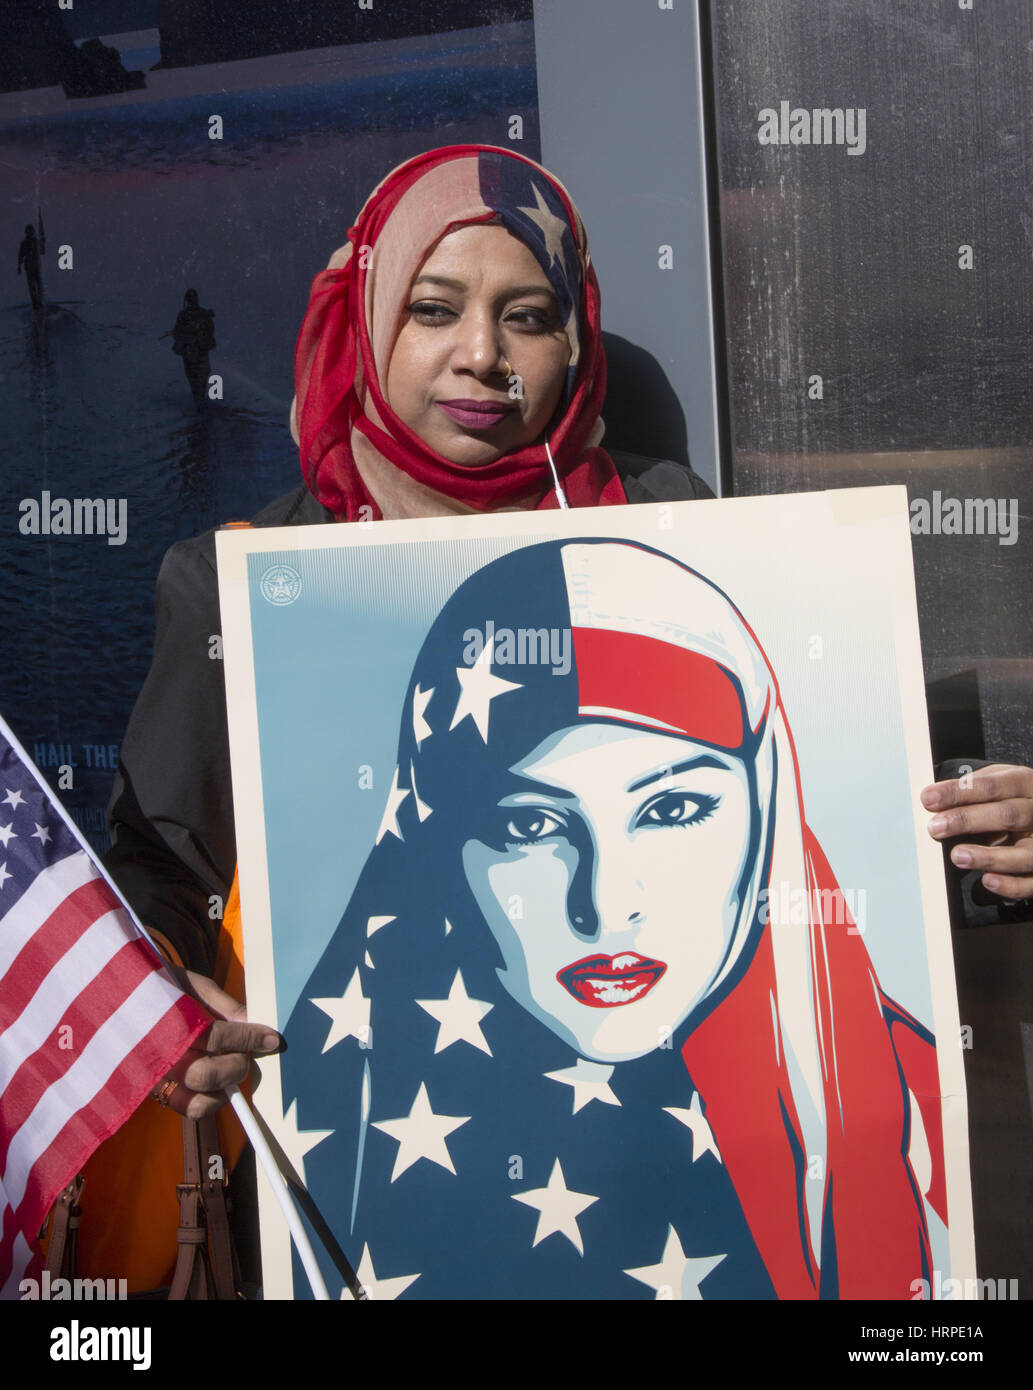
(414, 400)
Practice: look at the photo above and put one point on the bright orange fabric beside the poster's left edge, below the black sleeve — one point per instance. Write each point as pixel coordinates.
(130, 1206)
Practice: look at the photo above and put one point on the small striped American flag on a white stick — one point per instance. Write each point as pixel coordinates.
(90, 1018)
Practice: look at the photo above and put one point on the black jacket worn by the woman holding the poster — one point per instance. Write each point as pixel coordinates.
(172, 814)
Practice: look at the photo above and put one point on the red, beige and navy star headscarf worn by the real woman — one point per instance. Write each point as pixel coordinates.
(341, 419)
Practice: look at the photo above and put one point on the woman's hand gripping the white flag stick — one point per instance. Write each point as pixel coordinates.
(220, 1057)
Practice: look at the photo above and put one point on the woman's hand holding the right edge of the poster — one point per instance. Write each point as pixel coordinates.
(995, 803)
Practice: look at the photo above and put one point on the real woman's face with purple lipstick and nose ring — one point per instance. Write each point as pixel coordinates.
(479, 302)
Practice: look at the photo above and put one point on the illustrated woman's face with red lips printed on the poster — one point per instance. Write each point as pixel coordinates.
(610, 878)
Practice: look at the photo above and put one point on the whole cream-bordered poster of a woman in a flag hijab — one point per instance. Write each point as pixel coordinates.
(580, 1000)
